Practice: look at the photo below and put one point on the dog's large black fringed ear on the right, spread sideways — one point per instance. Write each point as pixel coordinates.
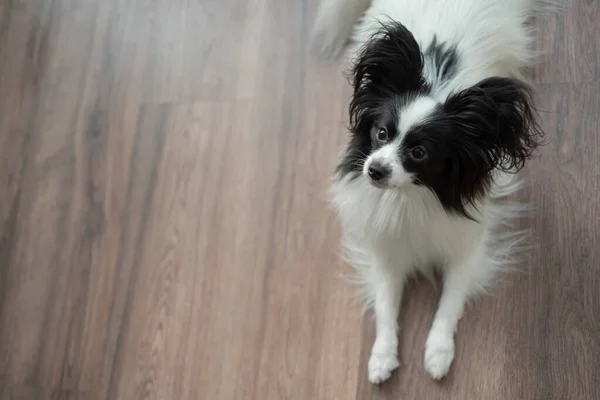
(495, 127)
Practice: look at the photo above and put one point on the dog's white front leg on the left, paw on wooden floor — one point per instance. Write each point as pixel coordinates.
(387, 291)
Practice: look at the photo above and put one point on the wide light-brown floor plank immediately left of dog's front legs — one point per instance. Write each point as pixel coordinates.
(245, 305)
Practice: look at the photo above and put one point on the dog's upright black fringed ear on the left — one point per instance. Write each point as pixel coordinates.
(389, 64)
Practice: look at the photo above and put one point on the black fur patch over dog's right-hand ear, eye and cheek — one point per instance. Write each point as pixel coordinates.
(491, 125)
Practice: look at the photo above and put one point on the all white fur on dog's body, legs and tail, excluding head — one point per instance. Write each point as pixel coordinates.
(391, 234)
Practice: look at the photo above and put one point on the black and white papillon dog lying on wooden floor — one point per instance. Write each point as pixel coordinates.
(441, 119)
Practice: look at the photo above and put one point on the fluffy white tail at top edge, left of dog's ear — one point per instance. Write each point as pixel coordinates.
(334, 23)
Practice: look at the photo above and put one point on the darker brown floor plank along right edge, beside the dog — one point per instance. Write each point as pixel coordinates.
(562, 323)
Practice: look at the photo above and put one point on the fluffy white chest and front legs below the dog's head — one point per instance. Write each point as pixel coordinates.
(389, 235)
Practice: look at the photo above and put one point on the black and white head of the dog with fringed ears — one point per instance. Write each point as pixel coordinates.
(401, 135)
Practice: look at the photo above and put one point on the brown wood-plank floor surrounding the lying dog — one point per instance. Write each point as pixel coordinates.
(164, 230)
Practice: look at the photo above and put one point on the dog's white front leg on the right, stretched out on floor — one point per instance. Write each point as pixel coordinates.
(459, 281)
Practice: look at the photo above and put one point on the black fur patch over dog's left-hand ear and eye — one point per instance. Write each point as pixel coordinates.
(386, 74)
